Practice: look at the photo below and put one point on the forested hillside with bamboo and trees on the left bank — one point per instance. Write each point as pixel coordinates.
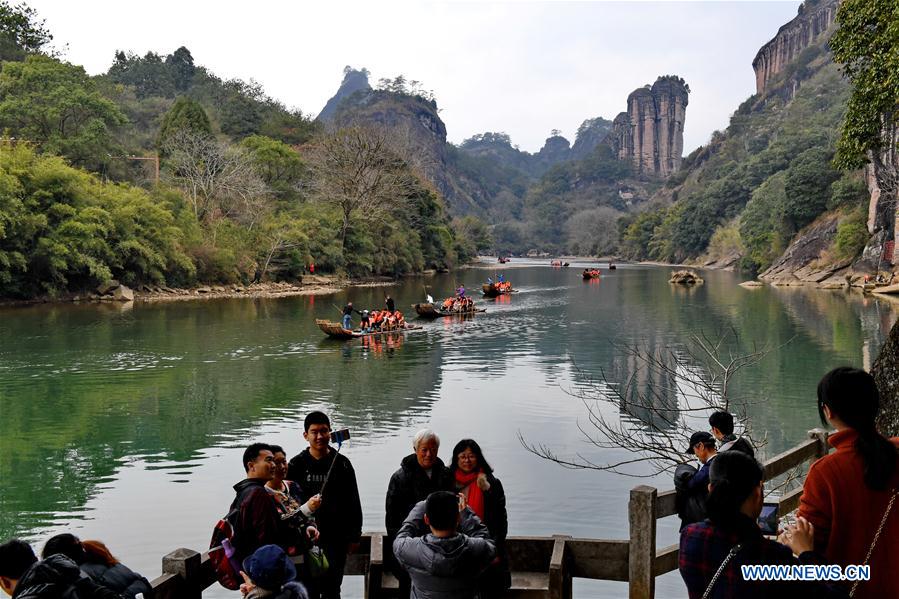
(246, 188)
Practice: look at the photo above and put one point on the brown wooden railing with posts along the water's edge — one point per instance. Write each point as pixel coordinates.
(542, 567)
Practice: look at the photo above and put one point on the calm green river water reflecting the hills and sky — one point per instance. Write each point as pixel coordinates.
(127, 423)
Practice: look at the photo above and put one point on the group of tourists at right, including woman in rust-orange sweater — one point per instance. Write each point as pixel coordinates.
(848, 511)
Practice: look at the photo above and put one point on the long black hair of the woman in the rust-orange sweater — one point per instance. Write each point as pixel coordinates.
(851, 395)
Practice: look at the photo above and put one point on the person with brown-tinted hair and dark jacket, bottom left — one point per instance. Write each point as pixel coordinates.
(95, 560)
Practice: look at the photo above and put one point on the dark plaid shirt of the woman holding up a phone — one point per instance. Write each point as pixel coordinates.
(704, 546)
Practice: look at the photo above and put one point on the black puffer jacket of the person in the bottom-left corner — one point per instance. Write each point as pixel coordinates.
(58, 577)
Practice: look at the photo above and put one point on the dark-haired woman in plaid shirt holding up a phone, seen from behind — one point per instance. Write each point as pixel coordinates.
(712, 552)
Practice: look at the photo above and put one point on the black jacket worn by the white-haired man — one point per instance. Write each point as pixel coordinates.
(409, 485)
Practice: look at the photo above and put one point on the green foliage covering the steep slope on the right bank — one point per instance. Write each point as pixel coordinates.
(771, 168)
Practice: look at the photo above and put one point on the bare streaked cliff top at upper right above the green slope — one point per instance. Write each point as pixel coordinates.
(814, 18)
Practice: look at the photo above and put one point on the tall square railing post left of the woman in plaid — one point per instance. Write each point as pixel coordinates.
(642, 550)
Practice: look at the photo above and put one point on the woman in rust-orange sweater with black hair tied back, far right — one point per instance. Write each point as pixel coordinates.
(852, 495)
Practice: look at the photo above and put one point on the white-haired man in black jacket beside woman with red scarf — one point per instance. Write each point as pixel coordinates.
(419, 475)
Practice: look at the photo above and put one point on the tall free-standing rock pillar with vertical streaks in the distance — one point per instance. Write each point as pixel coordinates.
(650, 135)
